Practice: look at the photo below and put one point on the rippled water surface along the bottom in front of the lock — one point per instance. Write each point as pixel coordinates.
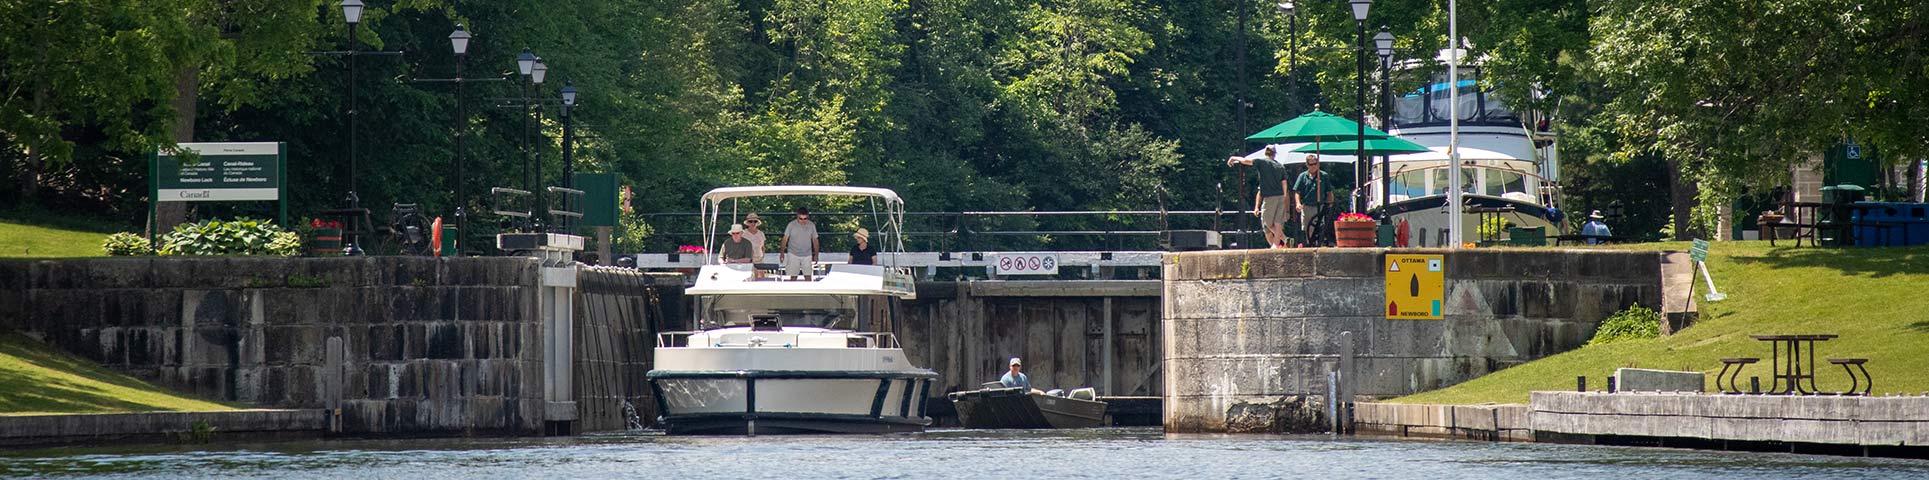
(950, 454)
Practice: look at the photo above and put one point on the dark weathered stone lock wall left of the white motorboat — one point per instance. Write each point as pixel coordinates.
(427, 344)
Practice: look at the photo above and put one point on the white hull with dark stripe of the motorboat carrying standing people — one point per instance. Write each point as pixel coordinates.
(792, 402)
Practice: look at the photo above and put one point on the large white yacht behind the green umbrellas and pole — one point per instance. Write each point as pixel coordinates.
(1509, 165)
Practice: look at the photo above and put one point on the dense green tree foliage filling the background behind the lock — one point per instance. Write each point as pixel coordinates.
(962, 105)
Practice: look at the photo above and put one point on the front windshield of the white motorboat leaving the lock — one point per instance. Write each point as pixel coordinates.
(813, 311)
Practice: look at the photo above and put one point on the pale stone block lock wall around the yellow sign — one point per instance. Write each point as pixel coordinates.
(1253, 334)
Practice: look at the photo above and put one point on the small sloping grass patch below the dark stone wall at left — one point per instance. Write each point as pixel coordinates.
(38, 379)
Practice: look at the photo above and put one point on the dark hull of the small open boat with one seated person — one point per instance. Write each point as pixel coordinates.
(1014, 408)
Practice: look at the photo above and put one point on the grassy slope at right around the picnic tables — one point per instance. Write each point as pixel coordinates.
(1876, 300)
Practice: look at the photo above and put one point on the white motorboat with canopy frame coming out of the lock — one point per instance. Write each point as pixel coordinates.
(794, 354)
